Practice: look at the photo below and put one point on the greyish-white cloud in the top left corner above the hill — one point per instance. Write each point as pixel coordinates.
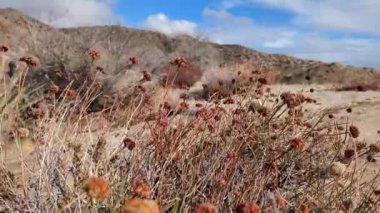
(67, 13)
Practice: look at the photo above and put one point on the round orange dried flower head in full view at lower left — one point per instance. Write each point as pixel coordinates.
(97, 188)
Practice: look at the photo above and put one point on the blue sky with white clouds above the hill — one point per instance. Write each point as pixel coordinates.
(345, 31)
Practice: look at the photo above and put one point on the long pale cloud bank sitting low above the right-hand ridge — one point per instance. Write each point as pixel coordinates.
(224, 27)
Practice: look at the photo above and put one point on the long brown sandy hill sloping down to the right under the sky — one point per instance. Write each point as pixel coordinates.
(54, 47)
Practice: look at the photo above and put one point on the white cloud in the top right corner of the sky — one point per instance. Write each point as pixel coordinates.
(338, 15)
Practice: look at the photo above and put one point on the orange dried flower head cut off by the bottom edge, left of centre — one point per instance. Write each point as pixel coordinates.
(139, 206)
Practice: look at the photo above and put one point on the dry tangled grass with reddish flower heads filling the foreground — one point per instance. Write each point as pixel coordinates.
(248, 152)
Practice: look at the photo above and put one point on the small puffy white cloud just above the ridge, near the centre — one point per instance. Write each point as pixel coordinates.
(161, 23)
